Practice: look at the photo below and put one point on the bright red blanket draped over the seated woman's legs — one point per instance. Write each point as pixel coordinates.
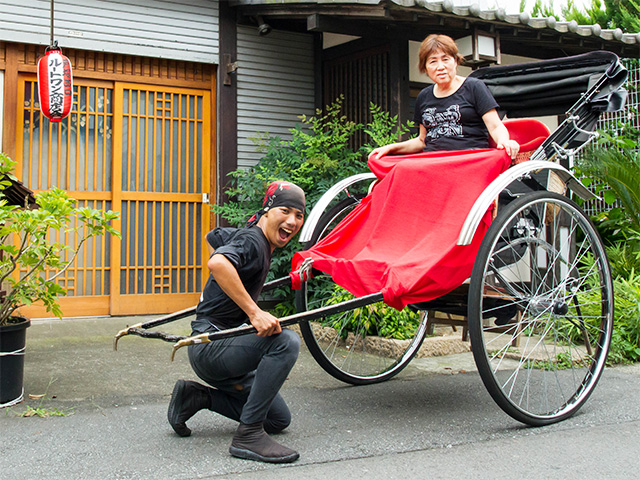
(401, 240)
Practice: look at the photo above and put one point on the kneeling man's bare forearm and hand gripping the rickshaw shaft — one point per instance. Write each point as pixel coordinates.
(229, 281)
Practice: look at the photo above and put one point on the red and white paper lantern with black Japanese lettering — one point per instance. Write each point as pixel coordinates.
(55, 85)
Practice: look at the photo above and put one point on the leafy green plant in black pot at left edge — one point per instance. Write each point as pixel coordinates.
(31, 260)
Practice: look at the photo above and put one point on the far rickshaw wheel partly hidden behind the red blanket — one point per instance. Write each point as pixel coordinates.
(349, 346)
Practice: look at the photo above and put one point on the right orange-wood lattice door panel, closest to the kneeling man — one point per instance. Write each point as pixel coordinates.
(161, 182)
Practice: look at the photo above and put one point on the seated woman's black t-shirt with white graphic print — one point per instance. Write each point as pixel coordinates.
(455, 122)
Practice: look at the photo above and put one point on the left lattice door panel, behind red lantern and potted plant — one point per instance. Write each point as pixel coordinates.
(74, 155)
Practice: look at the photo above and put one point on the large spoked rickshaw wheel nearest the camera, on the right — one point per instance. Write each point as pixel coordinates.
(541, 308)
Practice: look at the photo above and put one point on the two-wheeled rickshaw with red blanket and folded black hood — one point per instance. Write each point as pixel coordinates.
(509, 250)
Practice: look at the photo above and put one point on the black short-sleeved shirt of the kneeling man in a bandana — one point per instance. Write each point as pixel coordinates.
(250, 253)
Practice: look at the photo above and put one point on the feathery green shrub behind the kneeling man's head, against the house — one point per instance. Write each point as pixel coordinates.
(317, 156)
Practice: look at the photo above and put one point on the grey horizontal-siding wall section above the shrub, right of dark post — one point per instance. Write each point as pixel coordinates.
(275, 85)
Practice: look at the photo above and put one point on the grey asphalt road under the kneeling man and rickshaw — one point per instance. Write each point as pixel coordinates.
(435, 420)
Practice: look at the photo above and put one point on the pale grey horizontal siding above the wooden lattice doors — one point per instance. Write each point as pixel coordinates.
(179, 29)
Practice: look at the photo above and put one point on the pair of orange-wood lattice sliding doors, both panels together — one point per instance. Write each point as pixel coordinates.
(145, 152)
